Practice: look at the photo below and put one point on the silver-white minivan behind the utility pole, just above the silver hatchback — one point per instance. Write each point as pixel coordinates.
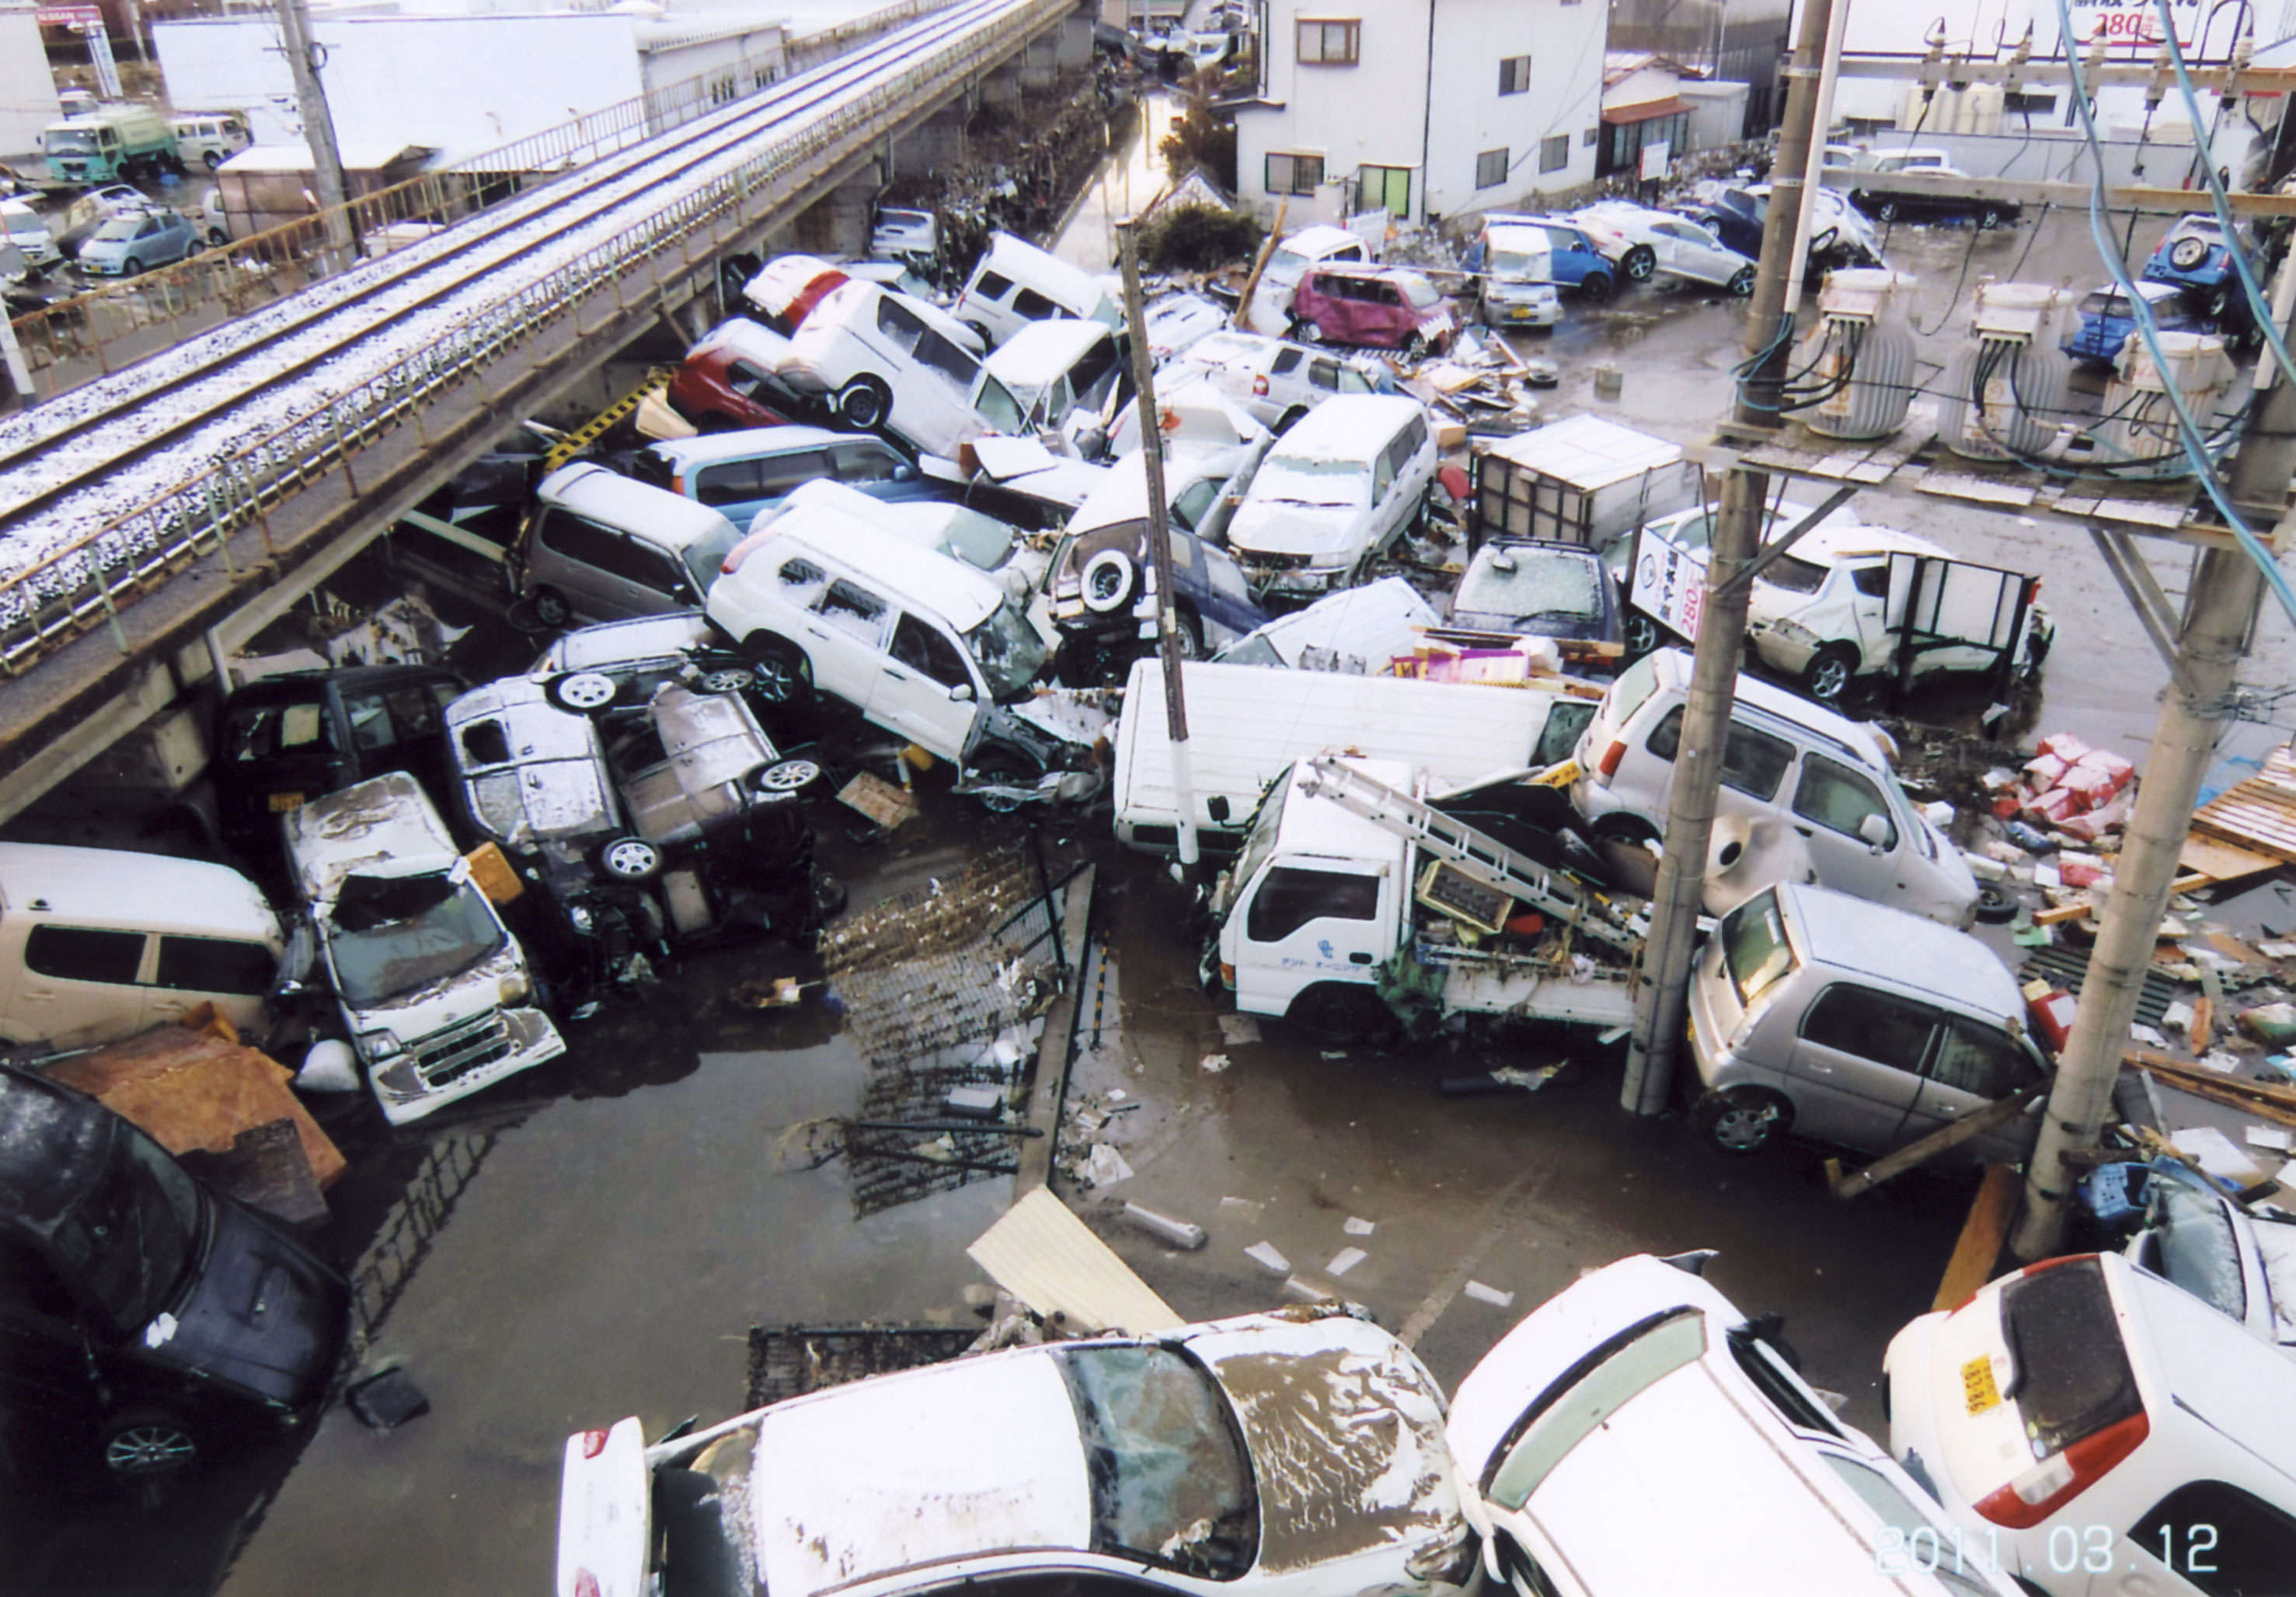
(1806, 796)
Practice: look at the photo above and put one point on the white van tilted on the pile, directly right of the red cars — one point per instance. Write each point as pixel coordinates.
(890, 362)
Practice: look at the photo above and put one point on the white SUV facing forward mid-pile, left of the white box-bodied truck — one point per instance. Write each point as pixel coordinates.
(1335, 493)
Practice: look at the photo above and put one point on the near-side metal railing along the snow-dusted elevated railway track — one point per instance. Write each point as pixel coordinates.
(91, 580)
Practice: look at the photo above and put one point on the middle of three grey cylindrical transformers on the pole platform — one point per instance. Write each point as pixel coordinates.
(2006, 385)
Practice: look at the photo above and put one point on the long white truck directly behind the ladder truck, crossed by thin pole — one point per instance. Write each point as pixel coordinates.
(1248, 723)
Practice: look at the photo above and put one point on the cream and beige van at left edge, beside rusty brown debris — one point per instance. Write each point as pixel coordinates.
(98, 943)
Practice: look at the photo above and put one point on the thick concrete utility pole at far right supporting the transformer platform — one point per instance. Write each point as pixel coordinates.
(2219, 617)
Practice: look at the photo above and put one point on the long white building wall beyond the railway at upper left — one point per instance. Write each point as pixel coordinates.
(456, 84)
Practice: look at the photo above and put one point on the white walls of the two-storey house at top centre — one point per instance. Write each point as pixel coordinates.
(1395, 111)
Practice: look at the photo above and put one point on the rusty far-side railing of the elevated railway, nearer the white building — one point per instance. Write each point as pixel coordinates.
(125, 323)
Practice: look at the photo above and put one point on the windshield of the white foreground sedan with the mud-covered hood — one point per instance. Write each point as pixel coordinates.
(1172, 1483)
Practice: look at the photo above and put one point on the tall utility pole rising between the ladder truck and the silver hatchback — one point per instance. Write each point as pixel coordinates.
(1661, 1008)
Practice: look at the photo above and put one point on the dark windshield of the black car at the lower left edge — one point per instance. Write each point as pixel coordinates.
(137, 1233)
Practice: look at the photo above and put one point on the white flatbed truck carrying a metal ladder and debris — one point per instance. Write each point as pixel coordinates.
(1356, 902)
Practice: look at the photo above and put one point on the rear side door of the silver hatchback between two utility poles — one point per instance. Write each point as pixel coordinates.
(1856, 1065)
